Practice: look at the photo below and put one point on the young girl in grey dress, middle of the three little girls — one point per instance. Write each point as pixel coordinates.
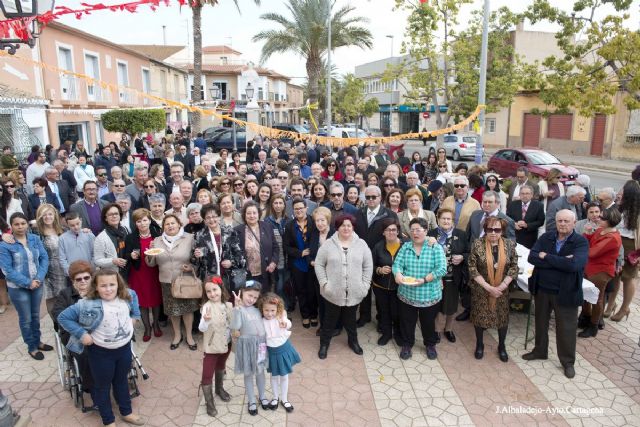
(251, 347)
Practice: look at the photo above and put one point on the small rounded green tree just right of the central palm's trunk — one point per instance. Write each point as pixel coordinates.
(351, 105)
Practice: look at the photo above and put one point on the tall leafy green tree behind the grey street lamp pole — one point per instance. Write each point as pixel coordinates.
(443, 64)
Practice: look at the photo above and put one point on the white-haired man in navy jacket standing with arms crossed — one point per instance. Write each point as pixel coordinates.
(559, 258)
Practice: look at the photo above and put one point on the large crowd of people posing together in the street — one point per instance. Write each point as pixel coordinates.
(116, 234)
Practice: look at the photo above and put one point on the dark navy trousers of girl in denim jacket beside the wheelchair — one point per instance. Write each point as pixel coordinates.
(110, 368)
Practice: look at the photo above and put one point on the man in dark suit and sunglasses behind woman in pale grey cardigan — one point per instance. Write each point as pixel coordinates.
(369, 227)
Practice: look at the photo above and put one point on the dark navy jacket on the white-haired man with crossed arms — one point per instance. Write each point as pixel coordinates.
(562, 270)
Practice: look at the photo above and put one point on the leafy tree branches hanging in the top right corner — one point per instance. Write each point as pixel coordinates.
(601, 56)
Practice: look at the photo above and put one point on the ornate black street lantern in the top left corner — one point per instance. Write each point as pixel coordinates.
(23, 9)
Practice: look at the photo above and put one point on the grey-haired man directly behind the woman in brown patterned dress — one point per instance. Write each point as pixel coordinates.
(490, 207)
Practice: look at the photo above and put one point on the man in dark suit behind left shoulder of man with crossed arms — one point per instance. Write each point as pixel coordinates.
(528, 215)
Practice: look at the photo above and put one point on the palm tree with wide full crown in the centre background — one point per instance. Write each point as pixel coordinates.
(306, 35)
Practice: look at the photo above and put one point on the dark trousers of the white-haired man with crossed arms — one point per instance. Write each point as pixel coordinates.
(566, 328)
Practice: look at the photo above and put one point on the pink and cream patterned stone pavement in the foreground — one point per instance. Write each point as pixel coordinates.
(377, 389)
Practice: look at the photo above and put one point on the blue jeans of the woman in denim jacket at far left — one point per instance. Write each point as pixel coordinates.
(27, 304)
